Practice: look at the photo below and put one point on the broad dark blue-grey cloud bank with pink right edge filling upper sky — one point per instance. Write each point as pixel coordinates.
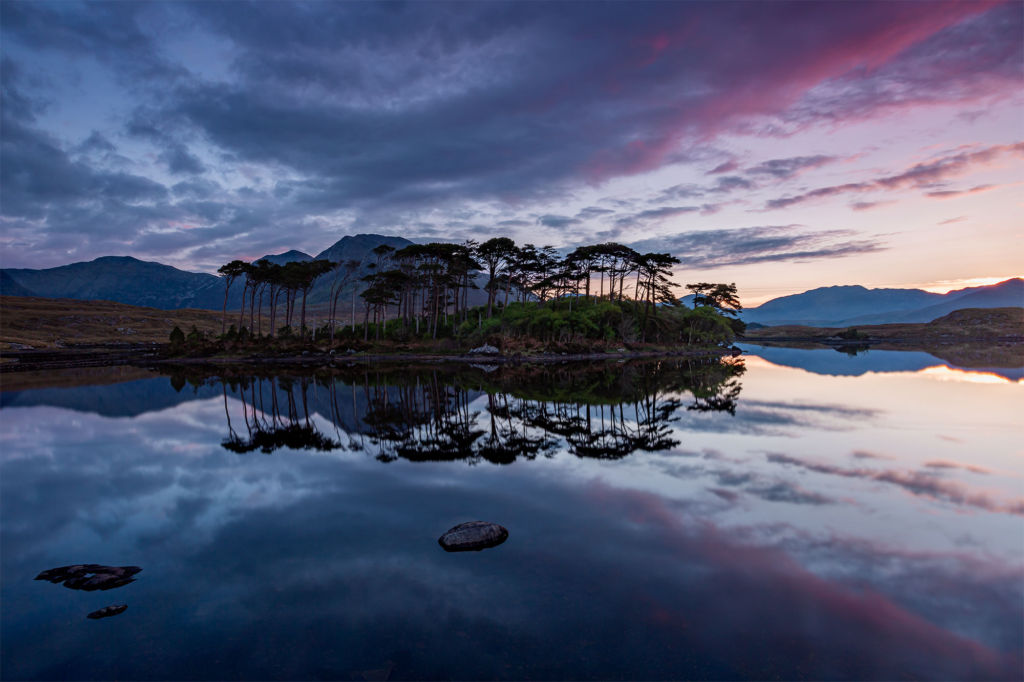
(373, 109)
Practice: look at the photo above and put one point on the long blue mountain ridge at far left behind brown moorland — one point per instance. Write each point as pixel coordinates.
(125, 280)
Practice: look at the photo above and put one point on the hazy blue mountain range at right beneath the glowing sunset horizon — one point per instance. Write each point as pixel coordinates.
(844, 307)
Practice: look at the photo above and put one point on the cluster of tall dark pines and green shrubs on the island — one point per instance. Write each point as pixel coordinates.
(606, 292)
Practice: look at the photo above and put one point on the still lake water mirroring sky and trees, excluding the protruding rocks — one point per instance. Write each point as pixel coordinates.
(743, 521)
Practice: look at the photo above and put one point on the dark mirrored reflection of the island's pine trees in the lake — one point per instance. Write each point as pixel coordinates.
(435, 413)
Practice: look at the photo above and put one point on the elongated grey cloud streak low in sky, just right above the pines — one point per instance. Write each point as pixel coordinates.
(715, 248)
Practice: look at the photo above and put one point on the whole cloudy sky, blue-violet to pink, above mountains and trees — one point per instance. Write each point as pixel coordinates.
(779, 146)
